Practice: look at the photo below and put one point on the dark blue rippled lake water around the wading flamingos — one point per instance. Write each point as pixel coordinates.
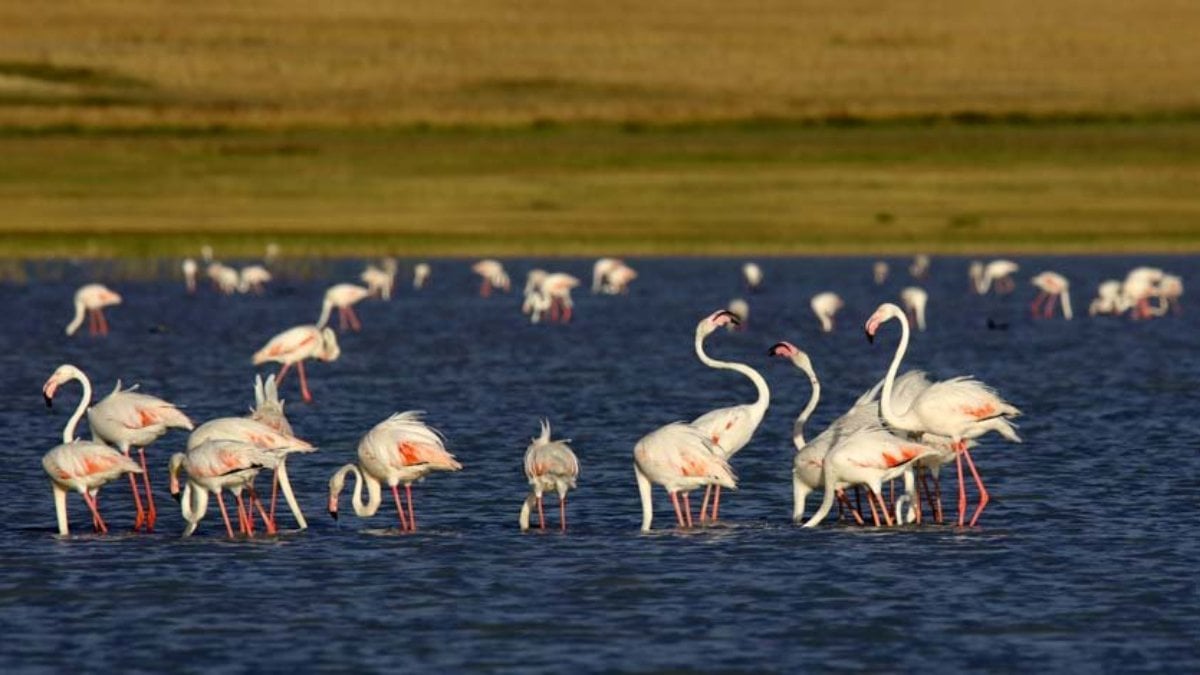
(1085, 560)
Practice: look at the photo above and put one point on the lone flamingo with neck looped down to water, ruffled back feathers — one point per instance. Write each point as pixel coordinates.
(400, 450)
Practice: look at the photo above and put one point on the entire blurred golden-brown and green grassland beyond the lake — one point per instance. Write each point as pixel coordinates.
(464, 128)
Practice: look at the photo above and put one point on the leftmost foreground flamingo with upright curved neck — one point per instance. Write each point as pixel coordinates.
(83, 467)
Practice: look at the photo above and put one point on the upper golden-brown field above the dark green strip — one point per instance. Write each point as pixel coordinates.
(269, 64)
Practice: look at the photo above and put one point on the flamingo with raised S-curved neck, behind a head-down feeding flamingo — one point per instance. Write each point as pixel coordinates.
(730, 428)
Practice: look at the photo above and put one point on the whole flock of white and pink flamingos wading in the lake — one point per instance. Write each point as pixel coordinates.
(905, 428)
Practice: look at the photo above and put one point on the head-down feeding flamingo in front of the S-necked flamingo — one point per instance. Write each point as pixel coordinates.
(680, 458)
